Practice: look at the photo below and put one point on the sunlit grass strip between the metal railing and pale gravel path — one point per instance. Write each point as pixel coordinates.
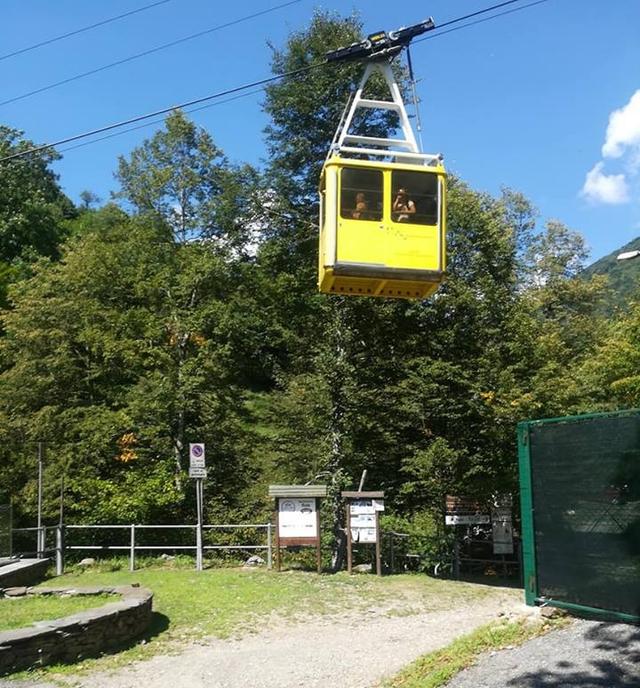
(231, 602)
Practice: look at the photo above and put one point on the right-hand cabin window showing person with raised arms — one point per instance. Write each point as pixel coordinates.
(415, 197)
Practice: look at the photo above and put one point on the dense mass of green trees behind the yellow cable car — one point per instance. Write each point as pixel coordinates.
(186, 310)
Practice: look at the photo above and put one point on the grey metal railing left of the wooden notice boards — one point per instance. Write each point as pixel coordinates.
(62, 533)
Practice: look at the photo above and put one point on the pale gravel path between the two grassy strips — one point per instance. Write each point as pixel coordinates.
(348, 651)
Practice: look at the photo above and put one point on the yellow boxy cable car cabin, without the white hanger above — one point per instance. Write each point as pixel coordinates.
(382, 228)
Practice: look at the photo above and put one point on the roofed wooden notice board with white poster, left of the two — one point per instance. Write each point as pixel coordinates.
(297, 516)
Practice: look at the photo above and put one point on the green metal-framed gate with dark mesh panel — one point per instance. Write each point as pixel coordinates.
(580, 499)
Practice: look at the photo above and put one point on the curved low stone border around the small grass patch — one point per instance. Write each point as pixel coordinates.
(81, 635)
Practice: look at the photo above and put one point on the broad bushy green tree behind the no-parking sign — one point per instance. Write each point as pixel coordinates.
(118, 356)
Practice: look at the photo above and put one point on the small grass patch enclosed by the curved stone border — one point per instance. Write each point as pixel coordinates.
(17, 612)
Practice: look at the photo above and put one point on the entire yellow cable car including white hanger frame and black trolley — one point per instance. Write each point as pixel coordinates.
(382, 201)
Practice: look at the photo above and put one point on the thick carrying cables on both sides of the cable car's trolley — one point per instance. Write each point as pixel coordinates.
(220, 94)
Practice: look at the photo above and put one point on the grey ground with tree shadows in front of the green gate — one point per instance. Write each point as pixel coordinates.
(587, 654)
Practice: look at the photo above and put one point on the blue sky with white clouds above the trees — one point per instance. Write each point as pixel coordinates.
(545, 100)
